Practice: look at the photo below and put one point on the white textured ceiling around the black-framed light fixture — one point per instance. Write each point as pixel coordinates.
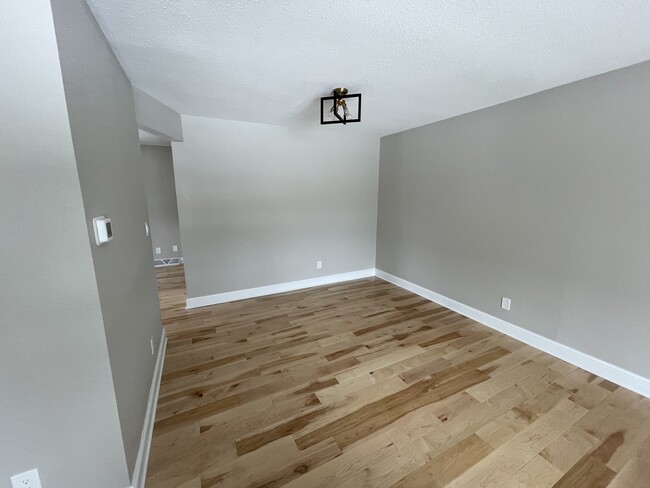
(415, 61)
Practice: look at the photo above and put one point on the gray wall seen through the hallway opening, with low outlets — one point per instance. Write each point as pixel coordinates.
(158, 169)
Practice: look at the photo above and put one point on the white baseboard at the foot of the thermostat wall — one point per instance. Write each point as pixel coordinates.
(141, 462)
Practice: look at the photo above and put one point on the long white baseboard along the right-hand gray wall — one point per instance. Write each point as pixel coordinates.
(615, 374)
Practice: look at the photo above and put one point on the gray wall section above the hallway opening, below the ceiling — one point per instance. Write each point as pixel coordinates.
(156, 117)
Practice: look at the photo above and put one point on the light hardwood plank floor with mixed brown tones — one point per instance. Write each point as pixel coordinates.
(363, 384)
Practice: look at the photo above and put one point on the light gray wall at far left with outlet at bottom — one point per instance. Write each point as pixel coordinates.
(57, 404)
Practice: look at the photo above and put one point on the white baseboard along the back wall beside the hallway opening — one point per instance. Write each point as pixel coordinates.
(261, 291)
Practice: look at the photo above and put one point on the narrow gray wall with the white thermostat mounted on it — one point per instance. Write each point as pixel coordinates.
(105, 137)
